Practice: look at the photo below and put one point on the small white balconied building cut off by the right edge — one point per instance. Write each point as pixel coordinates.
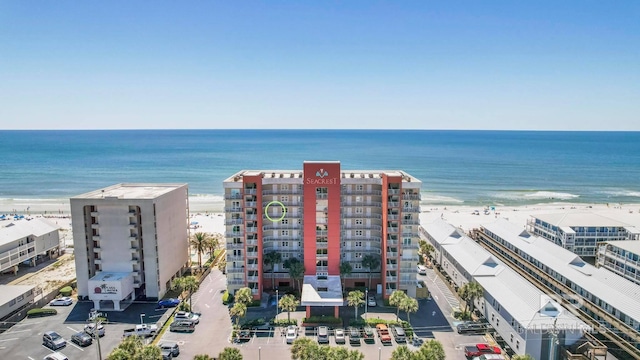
(621, 257)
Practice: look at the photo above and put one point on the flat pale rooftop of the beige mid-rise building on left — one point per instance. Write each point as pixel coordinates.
(138, 191)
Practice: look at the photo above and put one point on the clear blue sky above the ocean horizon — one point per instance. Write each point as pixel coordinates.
(320, 64)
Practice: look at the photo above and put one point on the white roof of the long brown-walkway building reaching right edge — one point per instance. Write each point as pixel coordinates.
(613, 289)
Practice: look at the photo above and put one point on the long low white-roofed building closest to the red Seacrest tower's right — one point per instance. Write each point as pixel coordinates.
(529, 321)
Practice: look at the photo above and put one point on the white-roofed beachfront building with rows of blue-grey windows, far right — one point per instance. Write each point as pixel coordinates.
(580, 232)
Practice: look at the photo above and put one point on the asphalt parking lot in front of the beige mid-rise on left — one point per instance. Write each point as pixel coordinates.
(24, 340)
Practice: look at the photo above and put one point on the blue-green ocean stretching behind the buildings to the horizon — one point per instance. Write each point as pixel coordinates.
(455, 167)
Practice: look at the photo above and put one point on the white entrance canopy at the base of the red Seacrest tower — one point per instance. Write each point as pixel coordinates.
(326, 291)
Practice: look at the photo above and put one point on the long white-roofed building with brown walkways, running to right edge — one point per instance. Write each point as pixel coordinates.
(604, 300)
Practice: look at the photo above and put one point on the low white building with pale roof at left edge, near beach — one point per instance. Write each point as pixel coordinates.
(23, 241)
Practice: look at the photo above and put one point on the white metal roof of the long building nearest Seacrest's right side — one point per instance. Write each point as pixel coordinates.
(514, 293)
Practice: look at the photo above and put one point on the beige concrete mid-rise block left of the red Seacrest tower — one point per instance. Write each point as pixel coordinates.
(130, 241)
